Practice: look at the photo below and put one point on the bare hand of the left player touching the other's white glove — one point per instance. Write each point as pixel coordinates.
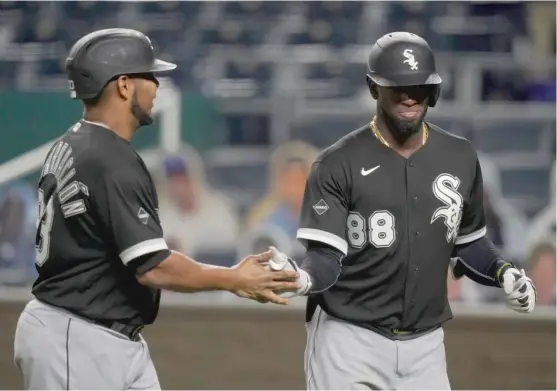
(257, 283)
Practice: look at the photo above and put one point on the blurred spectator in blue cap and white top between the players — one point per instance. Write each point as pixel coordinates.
(194, 217)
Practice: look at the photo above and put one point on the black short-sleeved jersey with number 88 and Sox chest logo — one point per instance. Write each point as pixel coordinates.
(397, 221)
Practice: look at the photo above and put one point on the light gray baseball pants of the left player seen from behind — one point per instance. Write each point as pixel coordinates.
(58, 350)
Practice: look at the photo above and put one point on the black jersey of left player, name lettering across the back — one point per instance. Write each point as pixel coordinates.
(98, 226)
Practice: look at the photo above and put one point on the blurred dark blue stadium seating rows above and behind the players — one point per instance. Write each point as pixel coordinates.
(293, 70)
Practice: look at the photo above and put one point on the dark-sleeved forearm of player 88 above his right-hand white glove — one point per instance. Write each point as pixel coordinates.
(480, 261)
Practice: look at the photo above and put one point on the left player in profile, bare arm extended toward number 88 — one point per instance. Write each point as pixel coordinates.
(101, 257)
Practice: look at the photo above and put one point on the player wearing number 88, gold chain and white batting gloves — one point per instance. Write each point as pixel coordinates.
(387, 210)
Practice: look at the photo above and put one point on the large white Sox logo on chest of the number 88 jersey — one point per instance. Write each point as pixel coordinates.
(445, 189)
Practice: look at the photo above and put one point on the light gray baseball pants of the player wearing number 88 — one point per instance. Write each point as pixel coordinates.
(343, 356)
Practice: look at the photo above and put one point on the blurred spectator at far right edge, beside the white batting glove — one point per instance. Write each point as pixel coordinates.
(541, 265)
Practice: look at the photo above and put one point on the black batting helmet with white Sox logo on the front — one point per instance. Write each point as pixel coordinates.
(403, 59)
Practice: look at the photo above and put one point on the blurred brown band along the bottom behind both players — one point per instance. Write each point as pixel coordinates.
(244, 349)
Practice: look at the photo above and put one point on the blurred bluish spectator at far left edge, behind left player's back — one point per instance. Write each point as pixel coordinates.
(17, 234)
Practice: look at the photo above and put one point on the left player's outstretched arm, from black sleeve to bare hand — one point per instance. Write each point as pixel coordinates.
(122, 196)
